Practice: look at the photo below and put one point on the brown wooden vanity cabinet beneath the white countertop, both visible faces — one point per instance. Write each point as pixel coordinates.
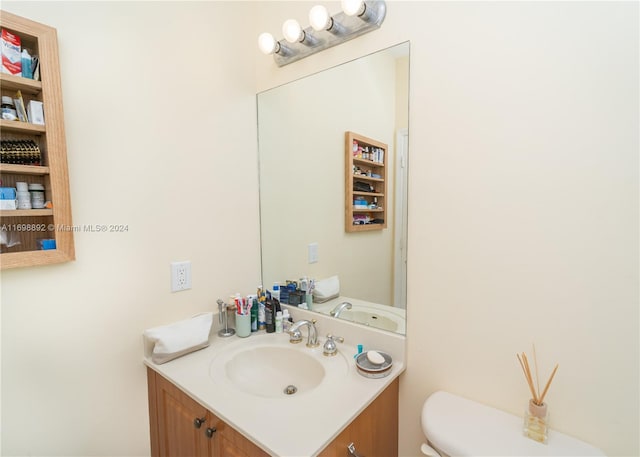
(179, 426)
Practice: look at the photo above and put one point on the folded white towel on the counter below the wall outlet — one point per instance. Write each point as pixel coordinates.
(180, 338)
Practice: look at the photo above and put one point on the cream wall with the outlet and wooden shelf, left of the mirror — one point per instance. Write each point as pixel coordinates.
(161, 134)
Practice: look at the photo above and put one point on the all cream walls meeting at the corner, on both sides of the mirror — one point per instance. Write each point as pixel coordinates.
(523, 209)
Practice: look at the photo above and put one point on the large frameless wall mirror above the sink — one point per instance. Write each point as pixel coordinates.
(301, 134)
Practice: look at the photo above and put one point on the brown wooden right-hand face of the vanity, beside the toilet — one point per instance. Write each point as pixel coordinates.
(374, 432)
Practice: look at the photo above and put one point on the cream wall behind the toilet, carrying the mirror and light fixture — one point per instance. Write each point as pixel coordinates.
(523, 194)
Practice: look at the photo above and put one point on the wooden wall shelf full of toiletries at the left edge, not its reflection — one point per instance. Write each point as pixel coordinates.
(27, 226)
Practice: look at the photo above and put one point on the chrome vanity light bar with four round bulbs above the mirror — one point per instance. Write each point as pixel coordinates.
(356, 18)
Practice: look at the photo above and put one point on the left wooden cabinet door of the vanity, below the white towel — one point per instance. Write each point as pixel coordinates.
(180, 422)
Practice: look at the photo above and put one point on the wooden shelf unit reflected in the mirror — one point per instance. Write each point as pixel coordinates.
(365, 165)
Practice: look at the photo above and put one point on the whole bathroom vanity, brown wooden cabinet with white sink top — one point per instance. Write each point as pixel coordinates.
(228, 399)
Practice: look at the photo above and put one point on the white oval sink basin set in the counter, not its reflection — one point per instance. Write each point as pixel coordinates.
(269, 366)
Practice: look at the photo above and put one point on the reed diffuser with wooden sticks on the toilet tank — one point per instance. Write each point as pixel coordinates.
(536, 416)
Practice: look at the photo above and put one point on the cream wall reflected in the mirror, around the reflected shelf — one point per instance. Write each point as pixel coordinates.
(302, 173)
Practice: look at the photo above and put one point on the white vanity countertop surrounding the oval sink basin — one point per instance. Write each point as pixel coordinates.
(298, 425)
